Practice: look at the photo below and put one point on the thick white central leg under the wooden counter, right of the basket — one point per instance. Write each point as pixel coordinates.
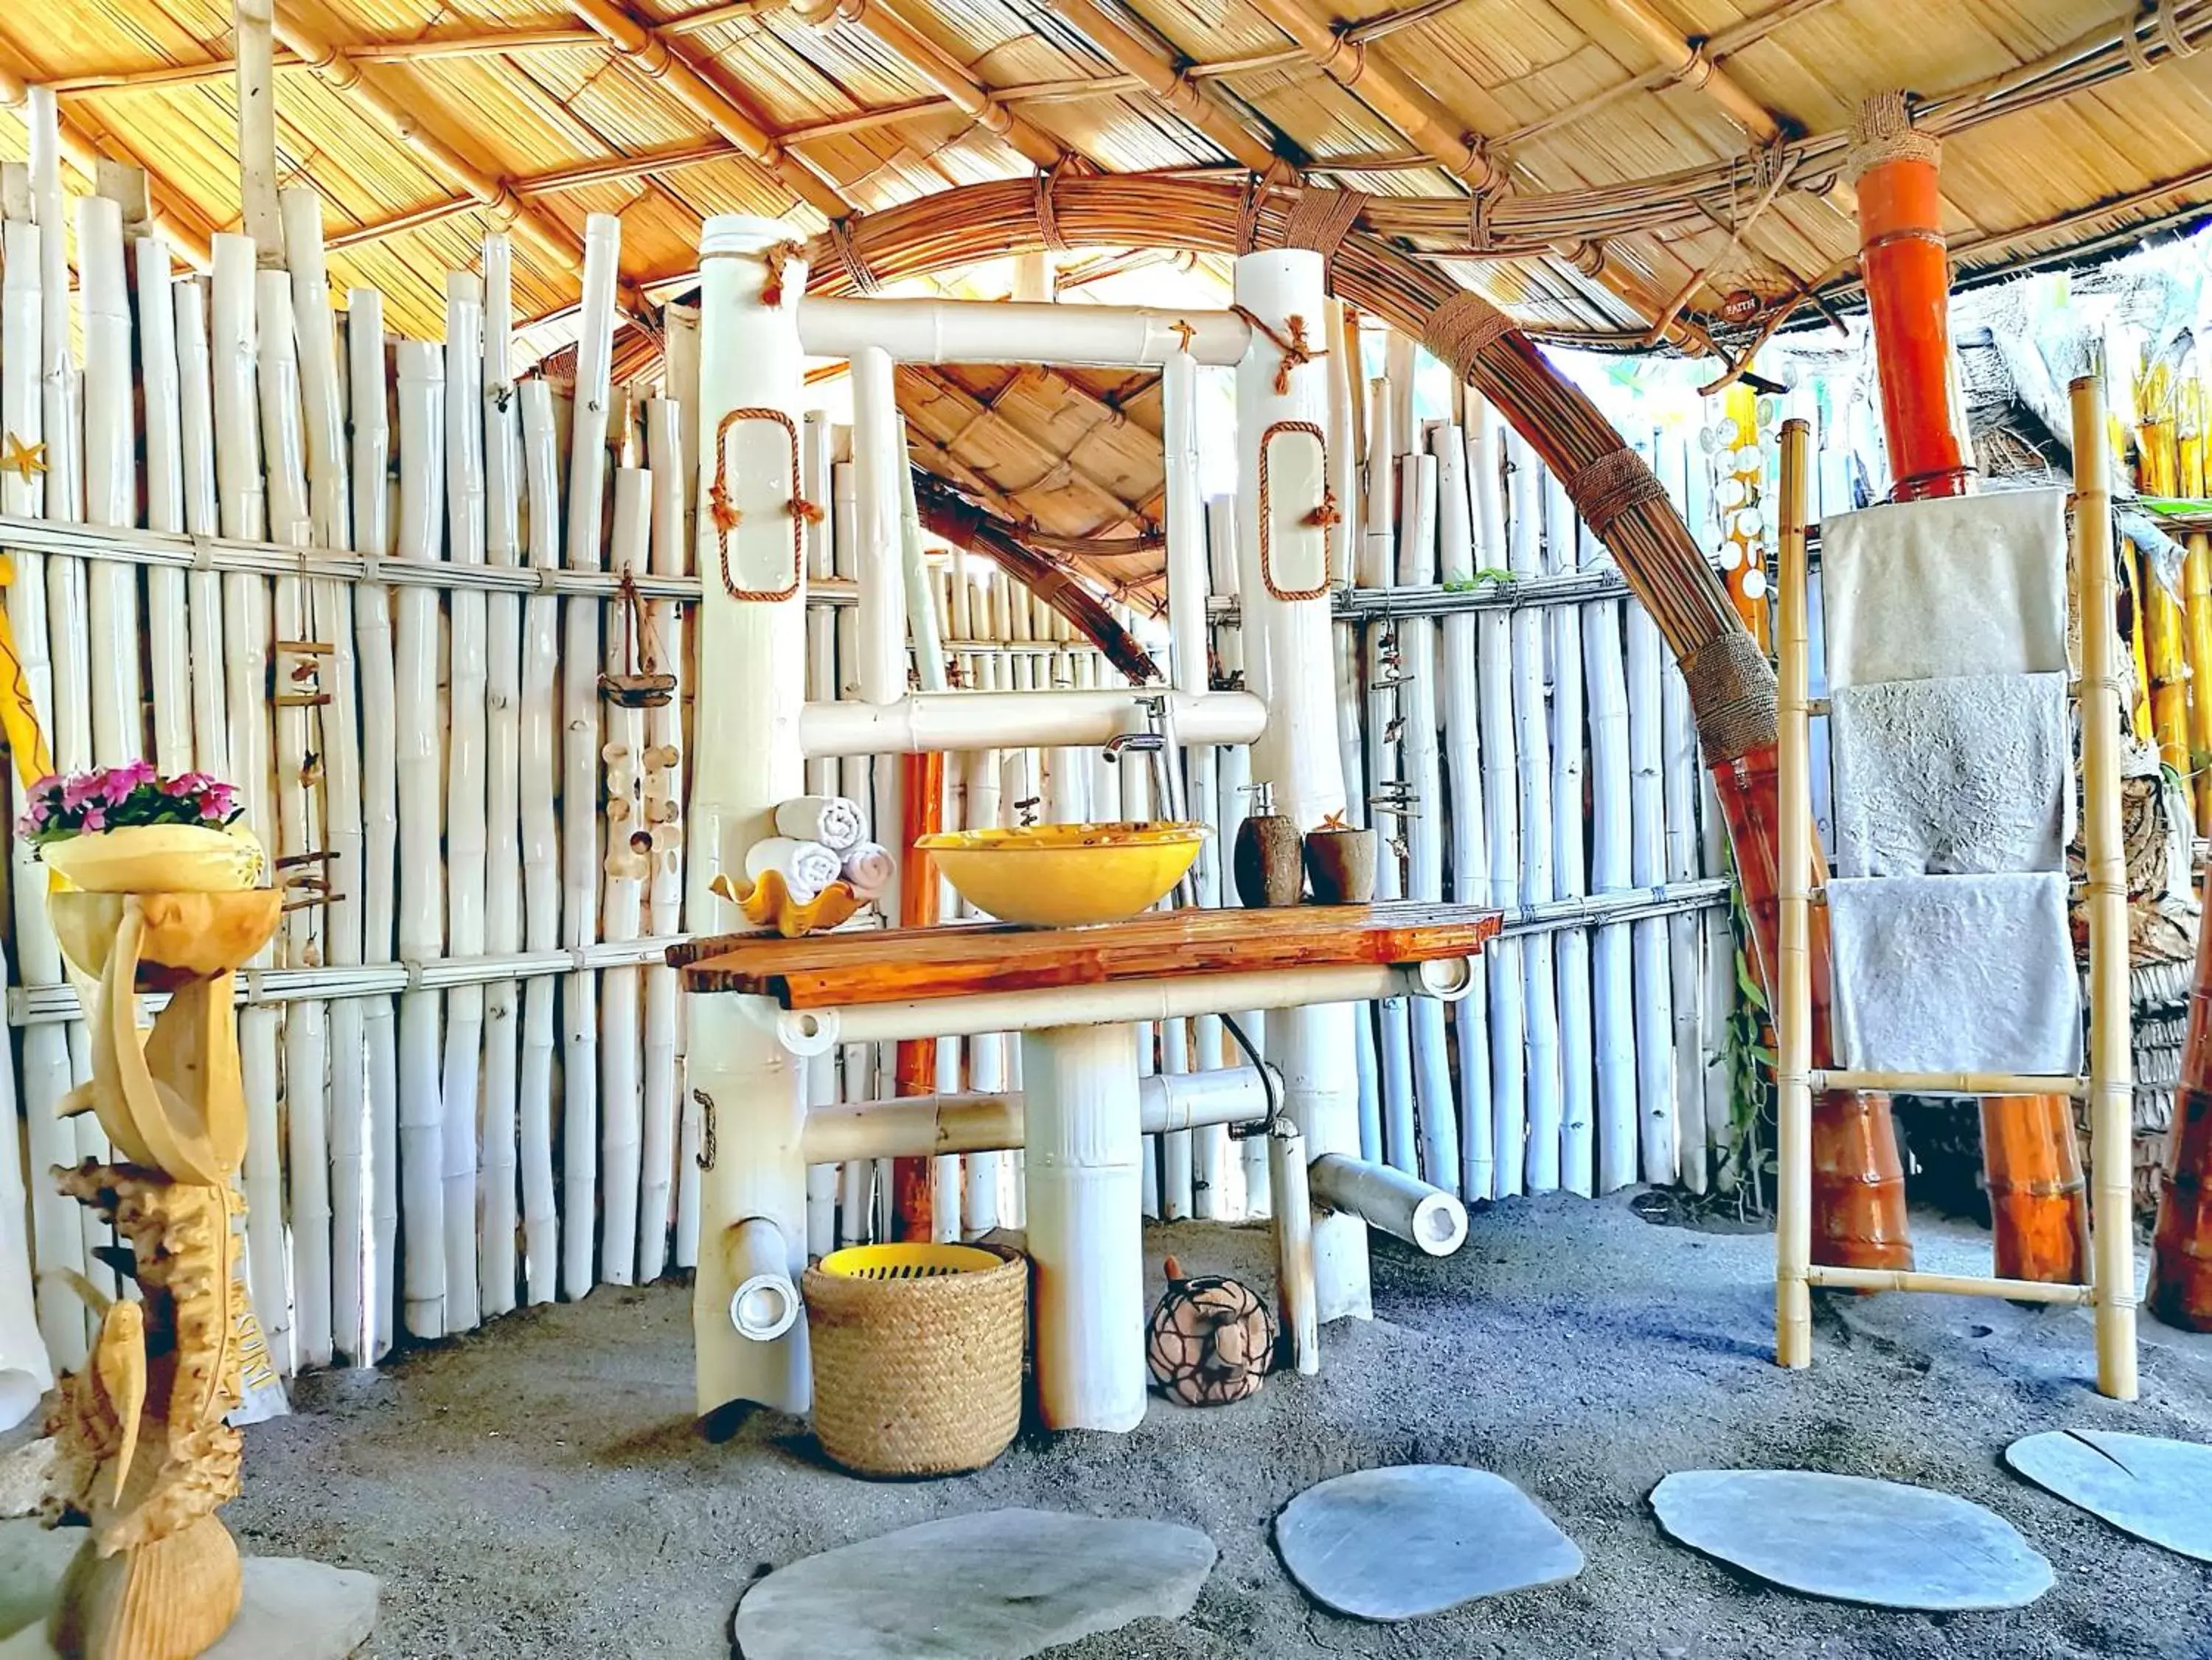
(1085, 1226)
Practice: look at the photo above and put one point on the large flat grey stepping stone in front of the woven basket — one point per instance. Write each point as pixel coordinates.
(997, 1586)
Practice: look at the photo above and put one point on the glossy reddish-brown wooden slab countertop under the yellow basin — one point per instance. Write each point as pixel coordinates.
(904, 965)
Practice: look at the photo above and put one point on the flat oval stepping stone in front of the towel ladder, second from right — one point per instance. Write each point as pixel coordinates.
(1855, 1540)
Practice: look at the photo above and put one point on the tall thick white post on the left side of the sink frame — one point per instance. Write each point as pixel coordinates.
(749, 759)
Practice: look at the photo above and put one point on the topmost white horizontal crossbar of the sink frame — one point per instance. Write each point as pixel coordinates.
(1105, 337)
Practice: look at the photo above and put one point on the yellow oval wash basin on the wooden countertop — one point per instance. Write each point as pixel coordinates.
(1063, 876)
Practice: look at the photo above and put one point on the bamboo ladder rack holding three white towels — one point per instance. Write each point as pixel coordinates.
(2107, 1086)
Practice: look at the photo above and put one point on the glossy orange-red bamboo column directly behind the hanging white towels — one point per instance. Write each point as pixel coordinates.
(2038, 1201)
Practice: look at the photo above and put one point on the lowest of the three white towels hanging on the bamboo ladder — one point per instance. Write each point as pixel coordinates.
(1954, 974)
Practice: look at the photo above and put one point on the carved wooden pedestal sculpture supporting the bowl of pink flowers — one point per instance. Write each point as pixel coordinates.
(145, 1453)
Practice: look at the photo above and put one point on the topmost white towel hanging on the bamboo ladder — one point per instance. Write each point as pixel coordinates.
(1921, 591)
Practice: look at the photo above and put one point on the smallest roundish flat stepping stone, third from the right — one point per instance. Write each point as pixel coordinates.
(1419, 1540)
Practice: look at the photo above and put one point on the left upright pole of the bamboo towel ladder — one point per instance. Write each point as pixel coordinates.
(1795, 865)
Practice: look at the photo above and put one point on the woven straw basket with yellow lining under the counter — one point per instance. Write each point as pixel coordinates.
(917, 1356)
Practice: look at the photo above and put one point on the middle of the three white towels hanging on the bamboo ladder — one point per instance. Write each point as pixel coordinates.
(1957, 777)
